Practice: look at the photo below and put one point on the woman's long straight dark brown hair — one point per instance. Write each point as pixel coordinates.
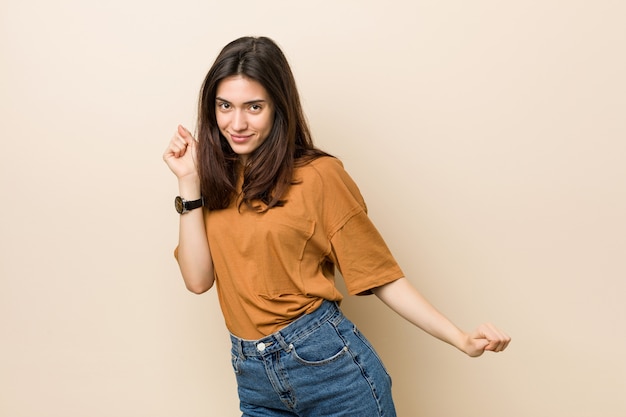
(269, 171)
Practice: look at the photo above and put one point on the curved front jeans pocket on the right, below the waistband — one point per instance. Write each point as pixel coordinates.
(322, 346)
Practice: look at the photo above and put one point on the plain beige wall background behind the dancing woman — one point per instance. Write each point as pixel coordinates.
(487, 137)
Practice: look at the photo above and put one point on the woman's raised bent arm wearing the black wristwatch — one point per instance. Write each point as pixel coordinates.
(193, 253)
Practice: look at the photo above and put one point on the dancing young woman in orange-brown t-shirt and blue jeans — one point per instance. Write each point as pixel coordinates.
(268, 217)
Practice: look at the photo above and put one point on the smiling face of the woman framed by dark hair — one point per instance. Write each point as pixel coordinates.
(245, 114)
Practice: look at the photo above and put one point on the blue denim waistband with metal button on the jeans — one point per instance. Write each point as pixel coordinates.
(282, 339)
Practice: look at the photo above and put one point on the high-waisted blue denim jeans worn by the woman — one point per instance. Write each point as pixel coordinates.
(319, 365)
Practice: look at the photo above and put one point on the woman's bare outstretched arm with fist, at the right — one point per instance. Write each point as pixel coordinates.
(405, 300)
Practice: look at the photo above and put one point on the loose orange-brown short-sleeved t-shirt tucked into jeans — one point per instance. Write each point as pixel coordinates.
(273, 267)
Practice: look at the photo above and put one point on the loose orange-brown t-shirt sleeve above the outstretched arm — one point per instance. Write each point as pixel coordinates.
(357, 248)
